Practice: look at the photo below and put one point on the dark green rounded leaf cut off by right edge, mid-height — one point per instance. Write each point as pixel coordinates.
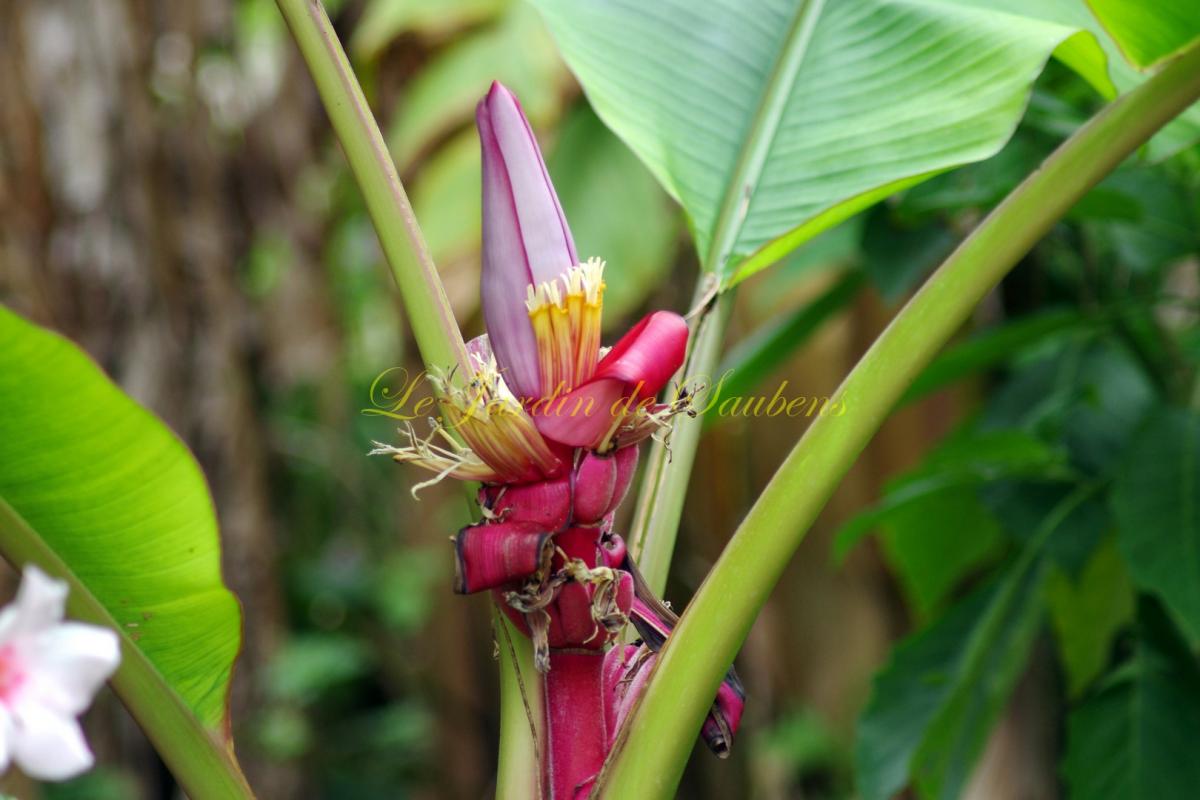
(1156, 501)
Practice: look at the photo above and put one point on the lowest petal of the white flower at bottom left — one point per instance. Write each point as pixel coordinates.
(47, 745)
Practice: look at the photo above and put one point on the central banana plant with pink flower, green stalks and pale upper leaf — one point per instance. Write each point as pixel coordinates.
(769, 123)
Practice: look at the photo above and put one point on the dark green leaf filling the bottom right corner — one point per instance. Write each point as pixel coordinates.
(1136, 736)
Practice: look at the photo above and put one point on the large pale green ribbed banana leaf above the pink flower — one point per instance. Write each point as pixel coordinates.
(771, 121)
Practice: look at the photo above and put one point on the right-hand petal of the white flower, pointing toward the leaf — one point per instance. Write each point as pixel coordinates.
(69, 664)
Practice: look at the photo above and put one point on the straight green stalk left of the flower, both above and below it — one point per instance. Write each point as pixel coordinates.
(425, 300)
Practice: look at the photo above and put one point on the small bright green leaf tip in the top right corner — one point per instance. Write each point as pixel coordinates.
(1149, 33)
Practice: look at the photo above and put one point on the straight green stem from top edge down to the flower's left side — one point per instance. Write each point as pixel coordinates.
(404, 245)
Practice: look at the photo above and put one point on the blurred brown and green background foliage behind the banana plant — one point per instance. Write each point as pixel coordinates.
(172, 199)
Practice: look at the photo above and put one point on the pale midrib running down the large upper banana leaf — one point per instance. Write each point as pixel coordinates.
(760, 136)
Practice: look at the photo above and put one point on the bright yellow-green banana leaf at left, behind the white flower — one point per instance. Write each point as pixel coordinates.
(99, 492)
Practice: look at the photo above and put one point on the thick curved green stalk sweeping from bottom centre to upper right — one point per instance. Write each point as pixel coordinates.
(657, 741)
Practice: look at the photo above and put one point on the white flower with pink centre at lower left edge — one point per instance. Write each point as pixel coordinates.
(50, 671)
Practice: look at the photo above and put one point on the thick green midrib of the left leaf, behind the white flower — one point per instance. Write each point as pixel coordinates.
(201, 760)
